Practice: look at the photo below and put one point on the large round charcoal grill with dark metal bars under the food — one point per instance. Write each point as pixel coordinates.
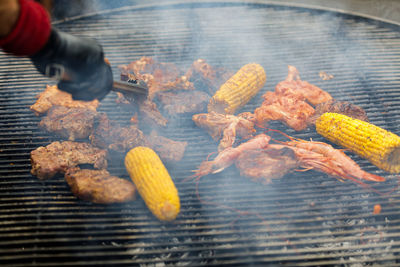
(303, 219)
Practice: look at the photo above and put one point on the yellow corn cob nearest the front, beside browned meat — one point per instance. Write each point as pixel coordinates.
(153, 182)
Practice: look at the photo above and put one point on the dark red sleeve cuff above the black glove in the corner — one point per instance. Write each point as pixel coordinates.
(31, 31)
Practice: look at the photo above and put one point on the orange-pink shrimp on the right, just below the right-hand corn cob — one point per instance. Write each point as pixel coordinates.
(325, 158)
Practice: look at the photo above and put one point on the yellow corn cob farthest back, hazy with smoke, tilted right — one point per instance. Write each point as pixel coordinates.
(238, 90)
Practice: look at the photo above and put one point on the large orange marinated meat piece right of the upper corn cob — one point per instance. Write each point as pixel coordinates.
(287, 106)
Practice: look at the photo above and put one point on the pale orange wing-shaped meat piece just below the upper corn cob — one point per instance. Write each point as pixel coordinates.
(225, 128)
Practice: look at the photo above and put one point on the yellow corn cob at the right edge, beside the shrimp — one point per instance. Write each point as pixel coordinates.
(380, 147)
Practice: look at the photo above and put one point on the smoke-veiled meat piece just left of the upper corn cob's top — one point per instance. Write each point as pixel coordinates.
(205, 77)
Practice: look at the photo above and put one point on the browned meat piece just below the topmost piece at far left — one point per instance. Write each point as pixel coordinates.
(69, 123)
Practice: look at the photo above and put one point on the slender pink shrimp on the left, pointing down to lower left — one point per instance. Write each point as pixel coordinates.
(228, 156)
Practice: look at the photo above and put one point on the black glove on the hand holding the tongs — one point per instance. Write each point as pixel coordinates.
(78, 62)
